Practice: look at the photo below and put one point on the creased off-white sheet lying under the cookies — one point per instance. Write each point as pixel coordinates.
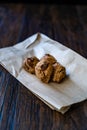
(57, 96)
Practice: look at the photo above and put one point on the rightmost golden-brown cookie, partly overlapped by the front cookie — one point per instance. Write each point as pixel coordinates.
(59, 72)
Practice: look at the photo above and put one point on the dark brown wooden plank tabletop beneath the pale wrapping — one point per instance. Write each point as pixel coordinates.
(19, 108)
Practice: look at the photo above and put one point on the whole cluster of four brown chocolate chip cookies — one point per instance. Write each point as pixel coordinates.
(46, 69)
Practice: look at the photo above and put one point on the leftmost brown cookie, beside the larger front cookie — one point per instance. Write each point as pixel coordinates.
(30, 63)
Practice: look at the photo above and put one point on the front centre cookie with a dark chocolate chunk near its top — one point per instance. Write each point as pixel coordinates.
(43, 70)
